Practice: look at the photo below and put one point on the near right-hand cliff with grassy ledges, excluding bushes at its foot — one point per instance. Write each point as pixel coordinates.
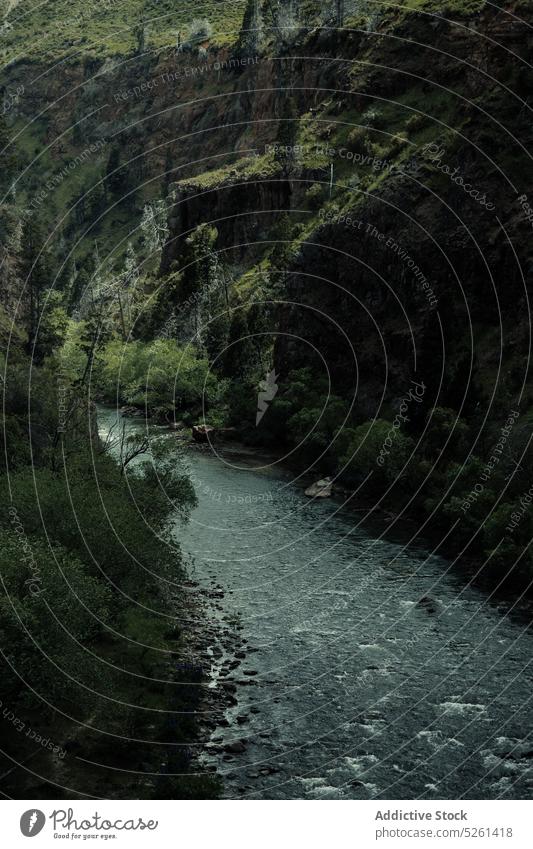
(413, 262)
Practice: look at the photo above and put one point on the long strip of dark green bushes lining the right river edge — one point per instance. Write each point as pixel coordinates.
(492, 560)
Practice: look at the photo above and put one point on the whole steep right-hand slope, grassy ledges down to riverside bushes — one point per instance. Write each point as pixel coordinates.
(380, 227)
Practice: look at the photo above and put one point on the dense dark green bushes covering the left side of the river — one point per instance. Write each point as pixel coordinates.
(87, 564)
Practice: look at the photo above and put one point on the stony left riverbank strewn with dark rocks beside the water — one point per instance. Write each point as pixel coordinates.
(201, 646)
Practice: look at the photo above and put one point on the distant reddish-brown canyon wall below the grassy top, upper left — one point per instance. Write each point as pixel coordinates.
(170, 115)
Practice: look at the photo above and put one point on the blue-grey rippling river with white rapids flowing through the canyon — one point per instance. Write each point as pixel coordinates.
(349, 687)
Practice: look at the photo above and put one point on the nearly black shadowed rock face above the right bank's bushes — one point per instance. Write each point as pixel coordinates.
(392, 300)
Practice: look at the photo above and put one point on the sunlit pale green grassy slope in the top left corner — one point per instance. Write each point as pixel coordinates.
(58, 29)
